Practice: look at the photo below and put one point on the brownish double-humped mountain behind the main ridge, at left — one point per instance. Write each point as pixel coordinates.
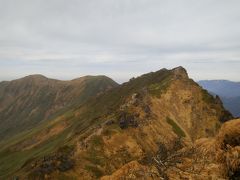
(28, 101)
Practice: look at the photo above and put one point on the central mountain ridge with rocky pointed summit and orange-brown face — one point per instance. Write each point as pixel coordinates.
(143, 128)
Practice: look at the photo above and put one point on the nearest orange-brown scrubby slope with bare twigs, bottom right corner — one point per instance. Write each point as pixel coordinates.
(206, 158)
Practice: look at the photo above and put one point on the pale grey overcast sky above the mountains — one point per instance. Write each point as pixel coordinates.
(66, 39)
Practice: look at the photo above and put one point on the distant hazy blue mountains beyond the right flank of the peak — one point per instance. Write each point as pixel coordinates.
(228, 91)
